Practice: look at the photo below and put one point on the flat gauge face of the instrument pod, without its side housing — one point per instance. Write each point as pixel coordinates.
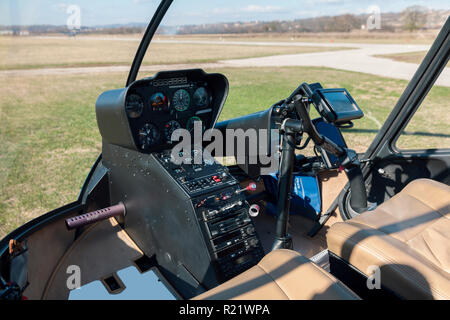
(158, 106)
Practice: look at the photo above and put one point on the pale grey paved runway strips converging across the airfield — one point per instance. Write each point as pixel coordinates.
(359, 57)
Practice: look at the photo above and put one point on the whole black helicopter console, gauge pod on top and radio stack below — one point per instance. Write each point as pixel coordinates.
(194, 218)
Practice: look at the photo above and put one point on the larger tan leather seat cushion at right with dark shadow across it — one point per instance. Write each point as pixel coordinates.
(408, 237)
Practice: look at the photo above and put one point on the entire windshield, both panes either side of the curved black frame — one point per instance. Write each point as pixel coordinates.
(56, 57)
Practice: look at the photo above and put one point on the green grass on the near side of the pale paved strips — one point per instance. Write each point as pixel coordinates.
(50, 140)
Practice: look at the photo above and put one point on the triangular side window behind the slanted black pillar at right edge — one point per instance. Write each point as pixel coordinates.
(429, 128)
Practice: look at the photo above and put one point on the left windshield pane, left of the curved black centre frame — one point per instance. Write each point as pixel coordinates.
(55, 59)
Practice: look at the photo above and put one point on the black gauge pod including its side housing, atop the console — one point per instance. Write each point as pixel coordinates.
(143, 115)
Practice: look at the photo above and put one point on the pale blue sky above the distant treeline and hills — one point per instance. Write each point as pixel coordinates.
(104, 12)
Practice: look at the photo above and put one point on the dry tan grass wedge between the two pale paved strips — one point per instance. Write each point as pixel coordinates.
(34, 52)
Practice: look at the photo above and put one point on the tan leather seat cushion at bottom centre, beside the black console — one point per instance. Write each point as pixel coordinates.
(280, 275)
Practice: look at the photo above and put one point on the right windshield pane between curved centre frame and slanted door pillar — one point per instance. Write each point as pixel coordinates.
(267, 48)
